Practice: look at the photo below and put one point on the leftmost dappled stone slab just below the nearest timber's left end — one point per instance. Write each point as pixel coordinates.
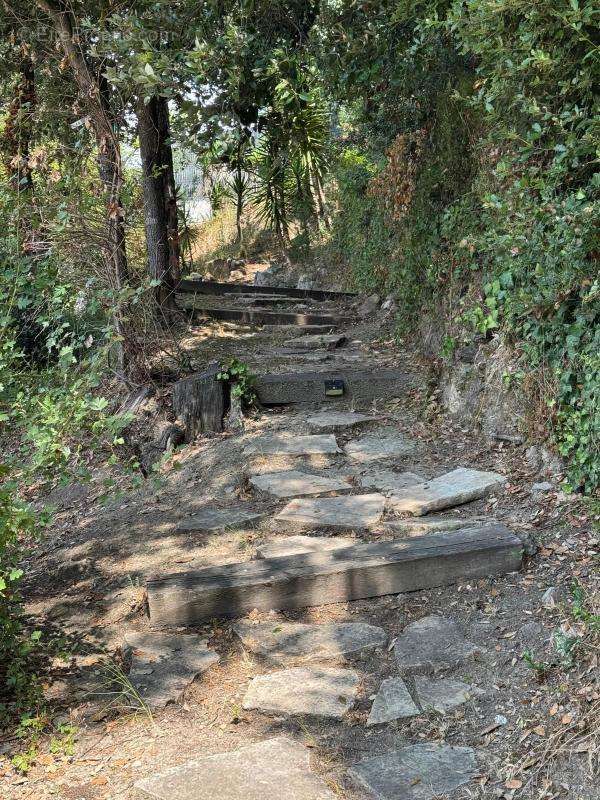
(163, 665)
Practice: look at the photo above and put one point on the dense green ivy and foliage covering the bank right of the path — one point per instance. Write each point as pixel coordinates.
(468, 179)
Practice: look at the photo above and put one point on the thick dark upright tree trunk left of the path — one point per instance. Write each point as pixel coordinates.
(160, 202)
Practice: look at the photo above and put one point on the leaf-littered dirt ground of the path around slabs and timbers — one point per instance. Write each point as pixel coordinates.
(531, 723)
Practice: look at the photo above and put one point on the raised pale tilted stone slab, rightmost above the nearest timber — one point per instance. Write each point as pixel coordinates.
(452, 489)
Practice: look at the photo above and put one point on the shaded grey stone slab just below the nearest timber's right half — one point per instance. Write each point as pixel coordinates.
(431, 644)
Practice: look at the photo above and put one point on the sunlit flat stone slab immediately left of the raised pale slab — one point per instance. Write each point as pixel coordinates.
(349, 512)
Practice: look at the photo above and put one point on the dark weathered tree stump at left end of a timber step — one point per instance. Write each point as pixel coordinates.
(201, 402)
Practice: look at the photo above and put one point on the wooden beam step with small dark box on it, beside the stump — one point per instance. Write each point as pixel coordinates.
(309, 387)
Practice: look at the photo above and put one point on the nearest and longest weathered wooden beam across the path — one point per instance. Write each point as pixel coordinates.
(365, 570)
